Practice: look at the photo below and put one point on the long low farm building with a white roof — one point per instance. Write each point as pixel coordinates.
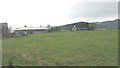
(30, 30)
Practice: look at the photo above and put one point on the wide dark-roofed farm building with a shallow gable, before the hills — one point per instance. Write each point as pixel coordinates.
(74, 27)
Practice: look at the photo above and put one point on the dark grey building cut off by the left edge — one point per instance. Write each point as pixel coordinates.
(4, 29)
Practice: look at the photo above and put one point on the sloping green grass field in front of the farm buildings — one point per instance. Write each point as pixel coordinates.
(80, 48)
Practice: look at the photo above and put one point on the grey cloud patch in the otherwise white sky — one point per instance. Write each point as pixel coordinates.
(94, 9)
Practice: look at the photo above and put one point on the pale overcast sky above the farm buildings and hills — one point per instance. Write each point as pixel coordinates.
(18, 13)
